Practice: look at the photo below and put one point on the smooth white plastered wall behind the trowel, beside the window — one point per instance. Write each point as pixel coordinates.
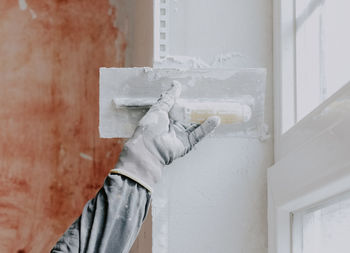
(216, 196)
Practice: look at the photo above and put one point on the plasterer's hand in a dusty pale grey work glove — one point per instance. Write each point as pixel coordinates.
(158, 140)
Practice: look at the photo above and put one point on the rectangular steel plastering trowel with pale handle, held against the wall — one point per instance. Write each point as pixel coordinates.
(235, 95)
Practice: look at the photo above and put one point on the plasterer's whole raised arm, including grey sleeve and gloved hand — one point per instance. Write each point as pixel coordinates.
(110, 222)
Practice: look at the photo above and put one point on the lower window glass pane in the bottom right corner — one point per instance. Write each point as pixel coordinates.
(327, 229)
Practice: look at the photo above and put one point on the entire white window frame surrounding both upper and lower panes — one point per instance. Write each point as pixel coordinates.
(312, 159)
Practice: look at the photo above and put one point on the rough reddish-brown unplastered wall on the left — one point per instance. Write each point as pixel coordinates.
(51, 158)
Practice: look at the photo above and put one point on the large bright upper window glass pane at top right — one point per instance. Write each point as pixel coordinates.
(322, 51)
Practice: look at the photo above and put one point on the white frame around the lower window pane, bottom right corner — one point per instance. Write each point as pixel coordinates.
(304, 178)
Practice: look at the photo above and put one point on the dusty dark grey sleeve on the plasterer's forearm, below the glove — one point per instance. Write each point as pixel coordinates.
(109, 222)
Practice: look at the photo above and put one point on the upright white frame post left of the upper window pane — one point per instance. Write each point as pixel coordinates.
(285, 76)
